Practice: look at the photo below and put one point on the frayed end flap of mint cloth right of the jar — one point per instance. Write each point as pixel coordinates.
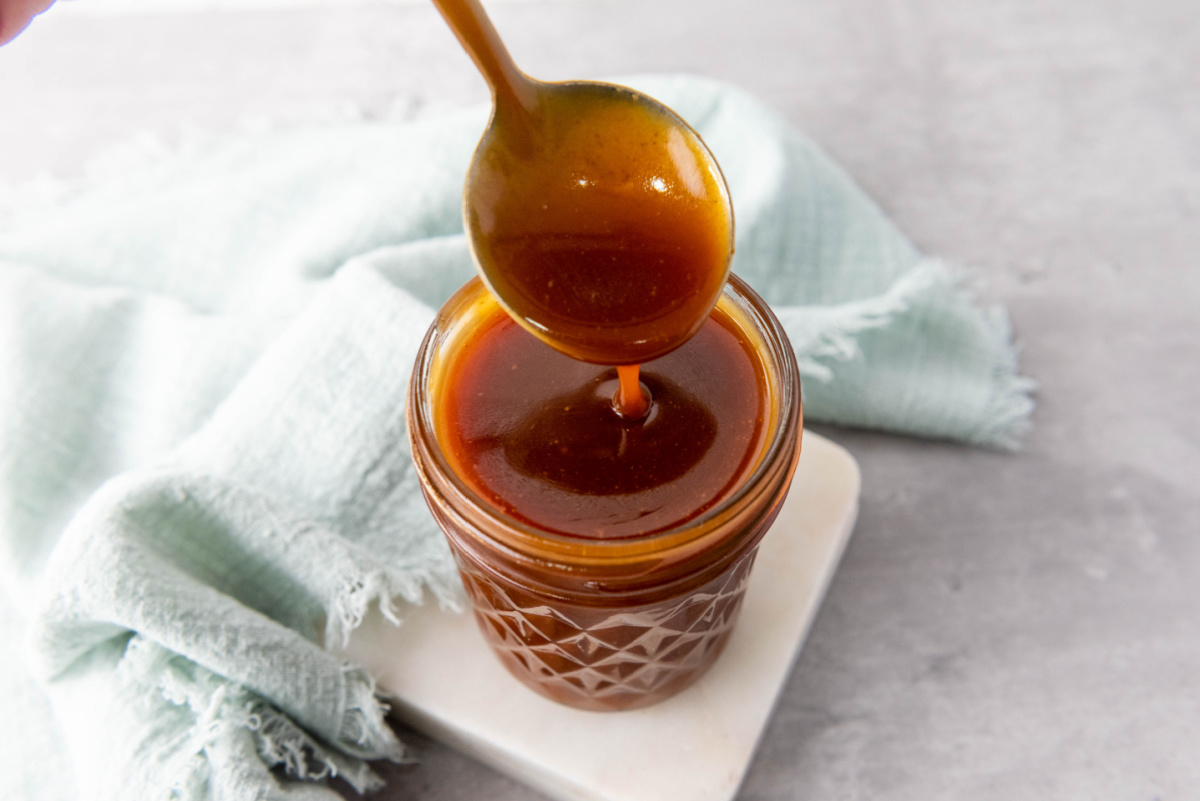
(973, 390)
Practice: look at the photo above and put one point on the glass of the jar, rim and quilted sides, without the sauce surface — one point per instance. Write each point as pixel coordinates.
(608, 624)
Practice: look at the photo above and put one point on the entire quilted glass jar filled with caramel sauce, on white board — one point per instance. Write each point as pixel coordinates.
(605, 559)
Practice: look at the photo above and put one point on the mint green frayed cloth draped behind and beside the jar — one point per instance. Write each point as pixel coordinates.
(205, 478)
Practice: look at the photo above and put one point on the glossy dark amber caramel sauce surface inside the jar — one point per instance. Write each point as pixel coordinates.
(535, 433)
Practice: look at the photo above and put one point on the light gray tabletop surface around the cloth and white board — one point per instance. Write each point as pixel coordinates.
(1003, 627)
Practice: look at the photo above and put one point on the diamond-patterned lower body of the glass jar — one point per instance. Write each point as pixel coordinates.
(604, 659)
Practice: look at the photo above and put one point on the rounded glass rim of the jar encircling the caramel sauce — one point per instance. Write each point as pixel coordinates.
(530, 540)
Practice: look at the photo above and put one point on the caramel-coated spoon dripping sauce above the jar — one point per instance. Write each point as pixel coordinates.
(597, 216)
